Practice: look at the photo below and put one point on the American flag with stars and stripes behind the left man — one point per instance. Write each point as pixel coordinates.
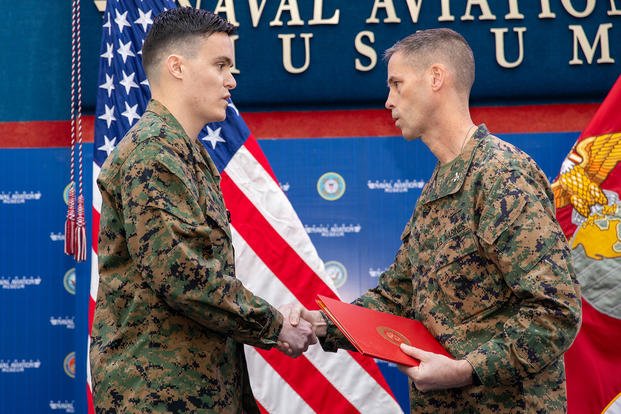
(274, 255)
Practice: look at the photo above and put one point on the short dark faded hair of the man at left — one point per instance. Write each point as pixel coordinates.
(176, 30)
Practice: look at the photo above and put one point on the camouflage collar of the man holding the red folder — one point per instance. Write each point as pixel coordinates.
(449, 178)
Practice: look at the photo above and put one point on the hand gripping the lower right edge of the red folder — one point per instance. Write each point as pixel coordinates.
(436, 372)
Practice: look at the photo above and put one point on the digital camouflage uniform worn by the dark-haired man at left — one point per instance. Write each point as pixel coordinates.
(171, 317)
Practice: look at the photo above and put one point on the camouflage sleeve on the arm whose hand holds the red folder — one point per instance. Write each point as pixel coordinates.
(520, 234)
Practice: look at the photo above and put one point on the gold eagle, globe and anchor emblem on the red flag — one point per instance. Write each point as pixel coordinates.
(596, 243)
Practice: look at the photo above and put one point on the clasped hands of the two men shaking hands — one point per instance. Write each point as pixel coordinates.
(300, 328)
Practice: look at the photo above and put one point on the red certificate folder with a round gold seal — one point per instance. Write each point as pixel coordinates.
(379, 334)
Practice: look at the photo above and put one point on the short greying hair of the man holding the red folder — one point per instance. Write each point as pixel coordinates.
(426, 47)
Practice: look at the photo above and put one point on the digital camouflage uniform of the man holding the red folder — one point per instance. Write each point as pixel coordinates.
(486, 268)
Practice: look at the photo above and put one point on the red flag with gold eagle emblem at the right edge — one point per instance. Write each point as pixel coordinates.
(587, 195)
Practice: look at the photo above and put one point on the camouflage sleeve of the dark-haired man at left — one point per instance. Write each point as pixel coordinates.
(182, 256)
